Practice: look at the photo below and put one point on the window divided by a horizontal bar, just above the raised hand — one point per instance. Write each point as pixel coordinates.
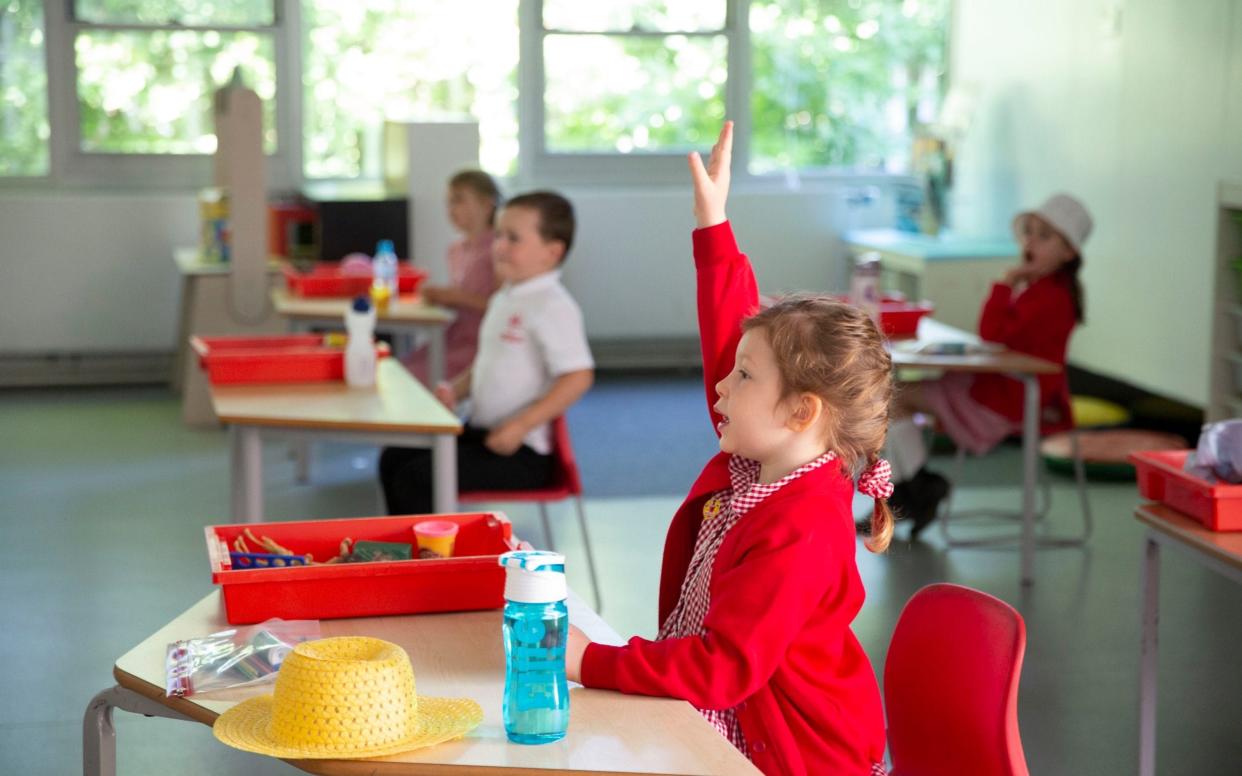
(633, 78)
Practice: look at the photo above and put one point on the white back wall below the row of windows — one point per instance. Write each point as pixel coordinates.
(85, 273)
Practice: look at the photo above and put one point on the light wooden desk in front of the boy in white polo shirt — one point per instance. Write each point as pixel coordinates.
(397, 412)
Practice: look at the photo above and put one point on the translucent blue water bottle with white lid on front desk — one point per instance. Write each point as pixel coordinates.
(536, 707)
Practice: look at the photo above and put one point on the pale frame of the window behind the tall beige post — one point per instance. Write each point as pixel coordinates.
(73, 166)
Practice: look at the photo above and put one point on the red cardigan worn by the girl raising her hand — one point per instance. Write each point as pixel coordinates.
(784, 590)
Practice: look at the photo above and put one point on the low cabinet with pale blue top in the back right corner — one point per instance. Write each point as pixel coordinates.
(954, 273)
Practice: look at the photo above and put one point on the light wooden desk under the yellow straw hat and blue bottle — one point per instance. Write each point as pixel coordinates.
(455, 655)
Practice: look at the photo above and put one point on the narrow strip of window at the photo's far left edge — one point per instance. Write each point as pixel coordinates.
(24, 131)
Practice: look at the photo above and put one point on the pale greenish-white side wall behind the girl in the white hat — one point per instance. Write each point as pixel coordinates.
(1137, 107)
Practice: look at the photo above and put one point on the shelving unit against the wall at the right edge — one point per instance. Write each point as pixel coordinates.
(1226, 390)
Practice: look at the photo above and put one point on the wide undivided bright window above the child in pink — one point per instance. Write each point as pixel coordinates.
(406, 60)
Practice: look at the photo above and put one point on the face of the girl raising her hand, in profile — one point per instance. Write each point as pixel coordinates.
(756, 419)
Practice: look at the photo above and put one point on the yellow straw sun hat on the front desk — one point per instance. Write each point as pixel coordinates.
(350, 697)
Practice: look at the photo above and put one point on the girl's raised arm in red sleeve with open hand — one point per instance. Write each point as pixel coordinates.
(727, 290)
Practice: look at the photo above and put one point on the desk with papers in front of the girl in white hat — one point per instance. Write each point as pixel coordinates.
(1018, 366)
